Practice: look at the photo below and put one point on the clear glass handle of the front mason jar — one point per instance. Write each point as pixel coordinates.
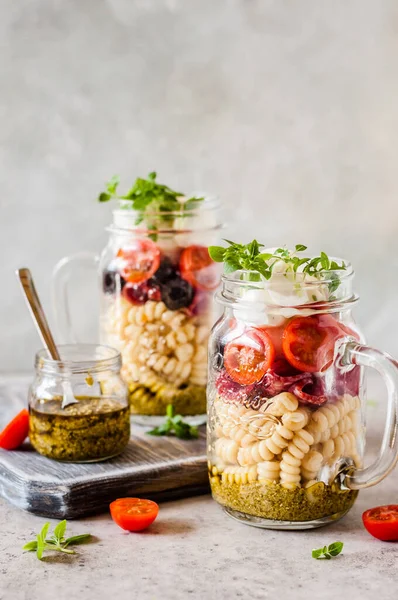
(351, 353)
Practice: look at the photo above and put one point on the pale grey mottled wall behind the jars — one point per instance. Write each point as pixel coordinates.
(286, 109)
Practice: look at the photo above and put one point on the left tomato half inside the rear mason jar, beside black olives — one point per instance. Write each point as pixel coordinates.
(139, 261)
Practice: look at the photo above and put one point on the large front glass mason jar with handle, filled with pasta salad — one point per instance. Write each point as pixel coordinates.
(286, 398)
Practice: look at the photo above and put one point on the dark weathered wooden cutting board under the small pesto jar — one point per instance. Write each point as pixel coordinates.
(159, 468)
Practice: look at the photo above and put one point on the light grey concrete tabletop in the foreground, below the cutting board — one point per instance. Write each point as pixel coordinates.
(196, 551)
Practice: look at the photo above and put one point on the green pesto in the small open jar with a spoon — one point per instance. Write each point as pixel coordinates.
(90, 430)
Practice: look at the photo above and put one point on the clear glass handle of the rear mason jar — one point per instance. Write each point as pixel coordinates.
(62, 275)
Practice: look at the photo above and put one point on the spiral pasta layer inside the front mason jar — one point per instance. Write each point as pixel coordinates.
(287, 443)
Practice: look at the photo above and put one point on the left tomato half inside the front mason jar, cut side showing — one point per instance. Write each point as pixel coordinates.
(248, 357)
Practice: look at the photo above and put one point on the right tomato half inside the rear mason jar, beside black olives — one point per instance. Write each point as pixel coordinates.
(198, 268)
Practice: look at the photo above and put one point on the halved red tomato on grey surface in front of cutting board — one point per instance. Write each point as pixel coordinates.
(134, 514)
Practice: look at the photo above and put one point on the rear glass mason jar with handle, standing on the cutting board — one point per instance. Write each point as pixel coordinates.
(156, 287)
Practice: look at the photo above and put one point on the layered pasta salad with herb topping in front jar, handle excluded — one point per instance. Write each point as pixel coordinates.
(284, 418)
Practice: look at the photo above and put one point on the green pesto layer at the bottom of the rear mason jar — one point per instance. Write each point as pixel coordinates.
(190, 400)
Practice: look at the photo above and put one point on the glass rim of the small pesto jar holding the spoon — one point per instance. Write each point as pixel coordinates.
(79, 358)
